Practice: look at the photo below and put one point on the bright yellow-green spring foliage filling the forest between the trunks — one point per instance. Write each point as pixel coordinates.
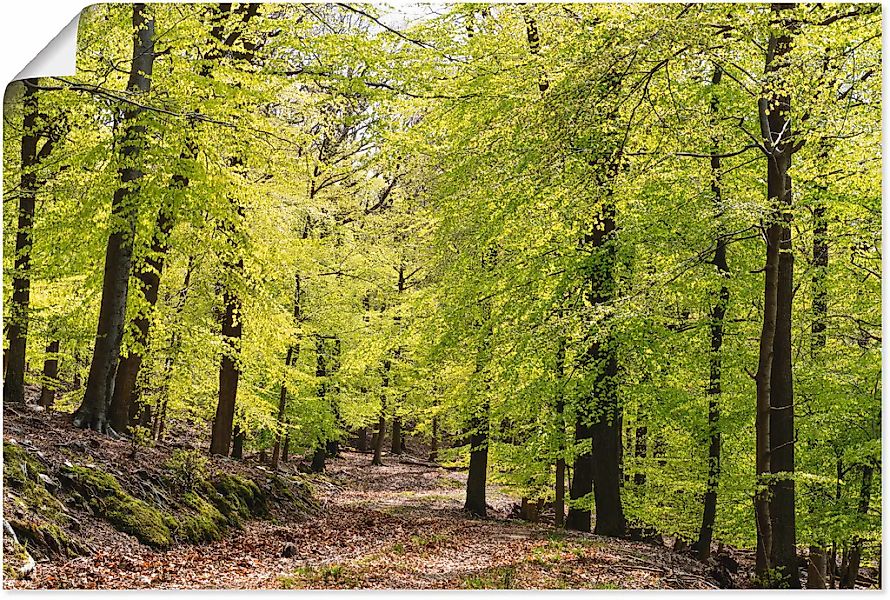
(421, 149)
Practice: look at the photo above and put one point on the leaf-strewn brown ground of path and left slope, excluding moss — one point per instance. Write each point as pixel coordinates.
(396, 526)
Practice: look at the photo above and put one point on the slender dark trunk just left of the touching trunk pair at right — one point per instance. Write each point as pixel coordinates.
(718, 314)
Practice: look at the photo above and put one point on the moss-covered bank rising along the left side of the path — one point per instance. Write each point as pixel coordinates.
(158, 508)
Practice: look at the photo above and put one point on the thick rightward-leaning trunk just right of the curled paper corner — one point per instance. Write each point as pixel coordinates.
(93, 412)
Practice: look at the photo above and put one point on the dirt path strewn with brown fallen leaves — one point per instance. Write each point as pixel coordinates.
(396, 526)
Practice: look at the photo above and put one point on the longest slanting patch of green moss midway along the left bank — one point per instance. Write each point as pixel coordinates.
(123, 511)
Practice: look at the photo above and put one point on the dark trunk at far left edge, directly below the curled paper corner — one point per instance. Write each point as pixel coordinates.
(17, 326)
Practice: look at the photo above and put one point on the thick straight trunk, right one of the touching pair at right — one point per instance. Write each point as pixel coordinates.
(781, 427)
